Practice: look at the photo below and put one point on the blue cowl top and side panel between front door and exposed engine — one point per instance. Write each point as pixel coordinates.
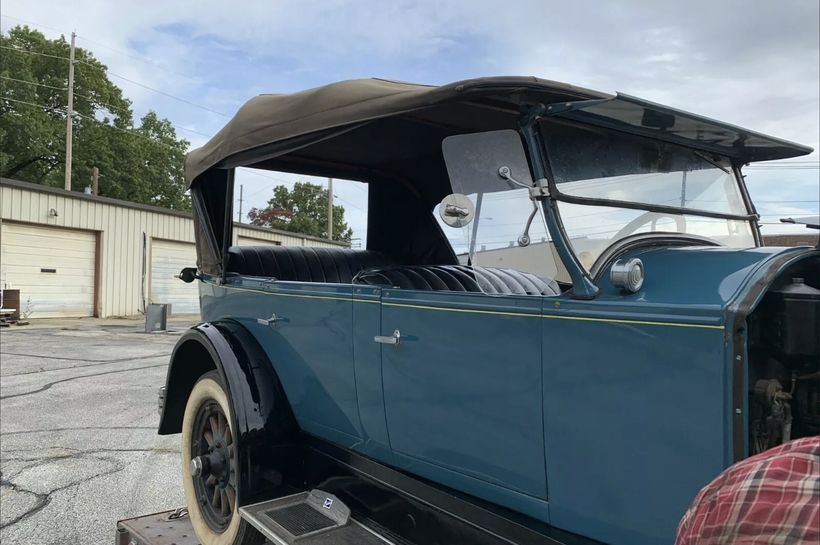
(652, 370)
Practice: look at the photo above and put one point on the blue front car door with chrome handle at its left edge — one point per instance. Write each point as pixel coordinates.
(462, 392)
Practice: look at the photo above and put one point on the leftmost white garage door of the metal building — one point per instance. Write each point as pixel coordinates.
(53, 268)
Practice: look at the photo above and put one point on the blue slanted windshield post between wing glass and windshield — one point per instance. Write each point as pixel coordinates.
(582, 285)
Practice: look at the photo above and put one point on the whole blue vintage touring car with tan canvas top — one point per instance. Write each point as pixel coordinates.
(562, 326)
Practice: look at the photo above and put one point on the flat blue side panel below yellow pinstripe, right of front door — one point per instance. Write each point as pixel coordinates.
(635, 409)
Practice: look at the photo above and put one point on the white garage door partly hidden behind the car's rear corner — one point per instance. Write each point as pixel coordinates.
(167, 259)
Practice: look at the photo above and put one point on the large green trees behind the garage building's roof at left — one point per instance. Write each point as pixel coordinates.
(141, 163)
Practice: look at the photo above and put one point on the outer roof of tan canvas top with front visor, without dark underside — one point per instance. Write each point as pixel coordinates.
(270, 119)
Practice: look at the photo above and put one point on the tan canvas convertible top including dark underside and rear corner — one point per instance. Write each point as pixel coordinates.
(389, 135)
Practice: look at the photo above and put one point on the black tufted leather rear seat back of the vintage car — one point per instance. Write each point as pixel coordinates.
(303, 264)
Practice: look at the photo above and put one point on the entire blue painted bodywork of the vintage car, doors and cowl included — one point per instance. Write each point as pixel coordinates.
(601, 417)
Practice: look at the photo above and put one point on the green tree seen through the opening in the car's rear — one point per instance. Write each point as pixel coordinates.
(302, 210)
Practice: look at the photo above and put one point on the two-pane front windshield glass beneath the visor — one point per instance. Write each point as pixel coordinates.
(594, 163)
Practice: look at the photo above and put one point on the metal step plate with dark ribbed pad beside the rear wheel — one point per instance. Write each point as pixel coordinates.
(309, 518)
